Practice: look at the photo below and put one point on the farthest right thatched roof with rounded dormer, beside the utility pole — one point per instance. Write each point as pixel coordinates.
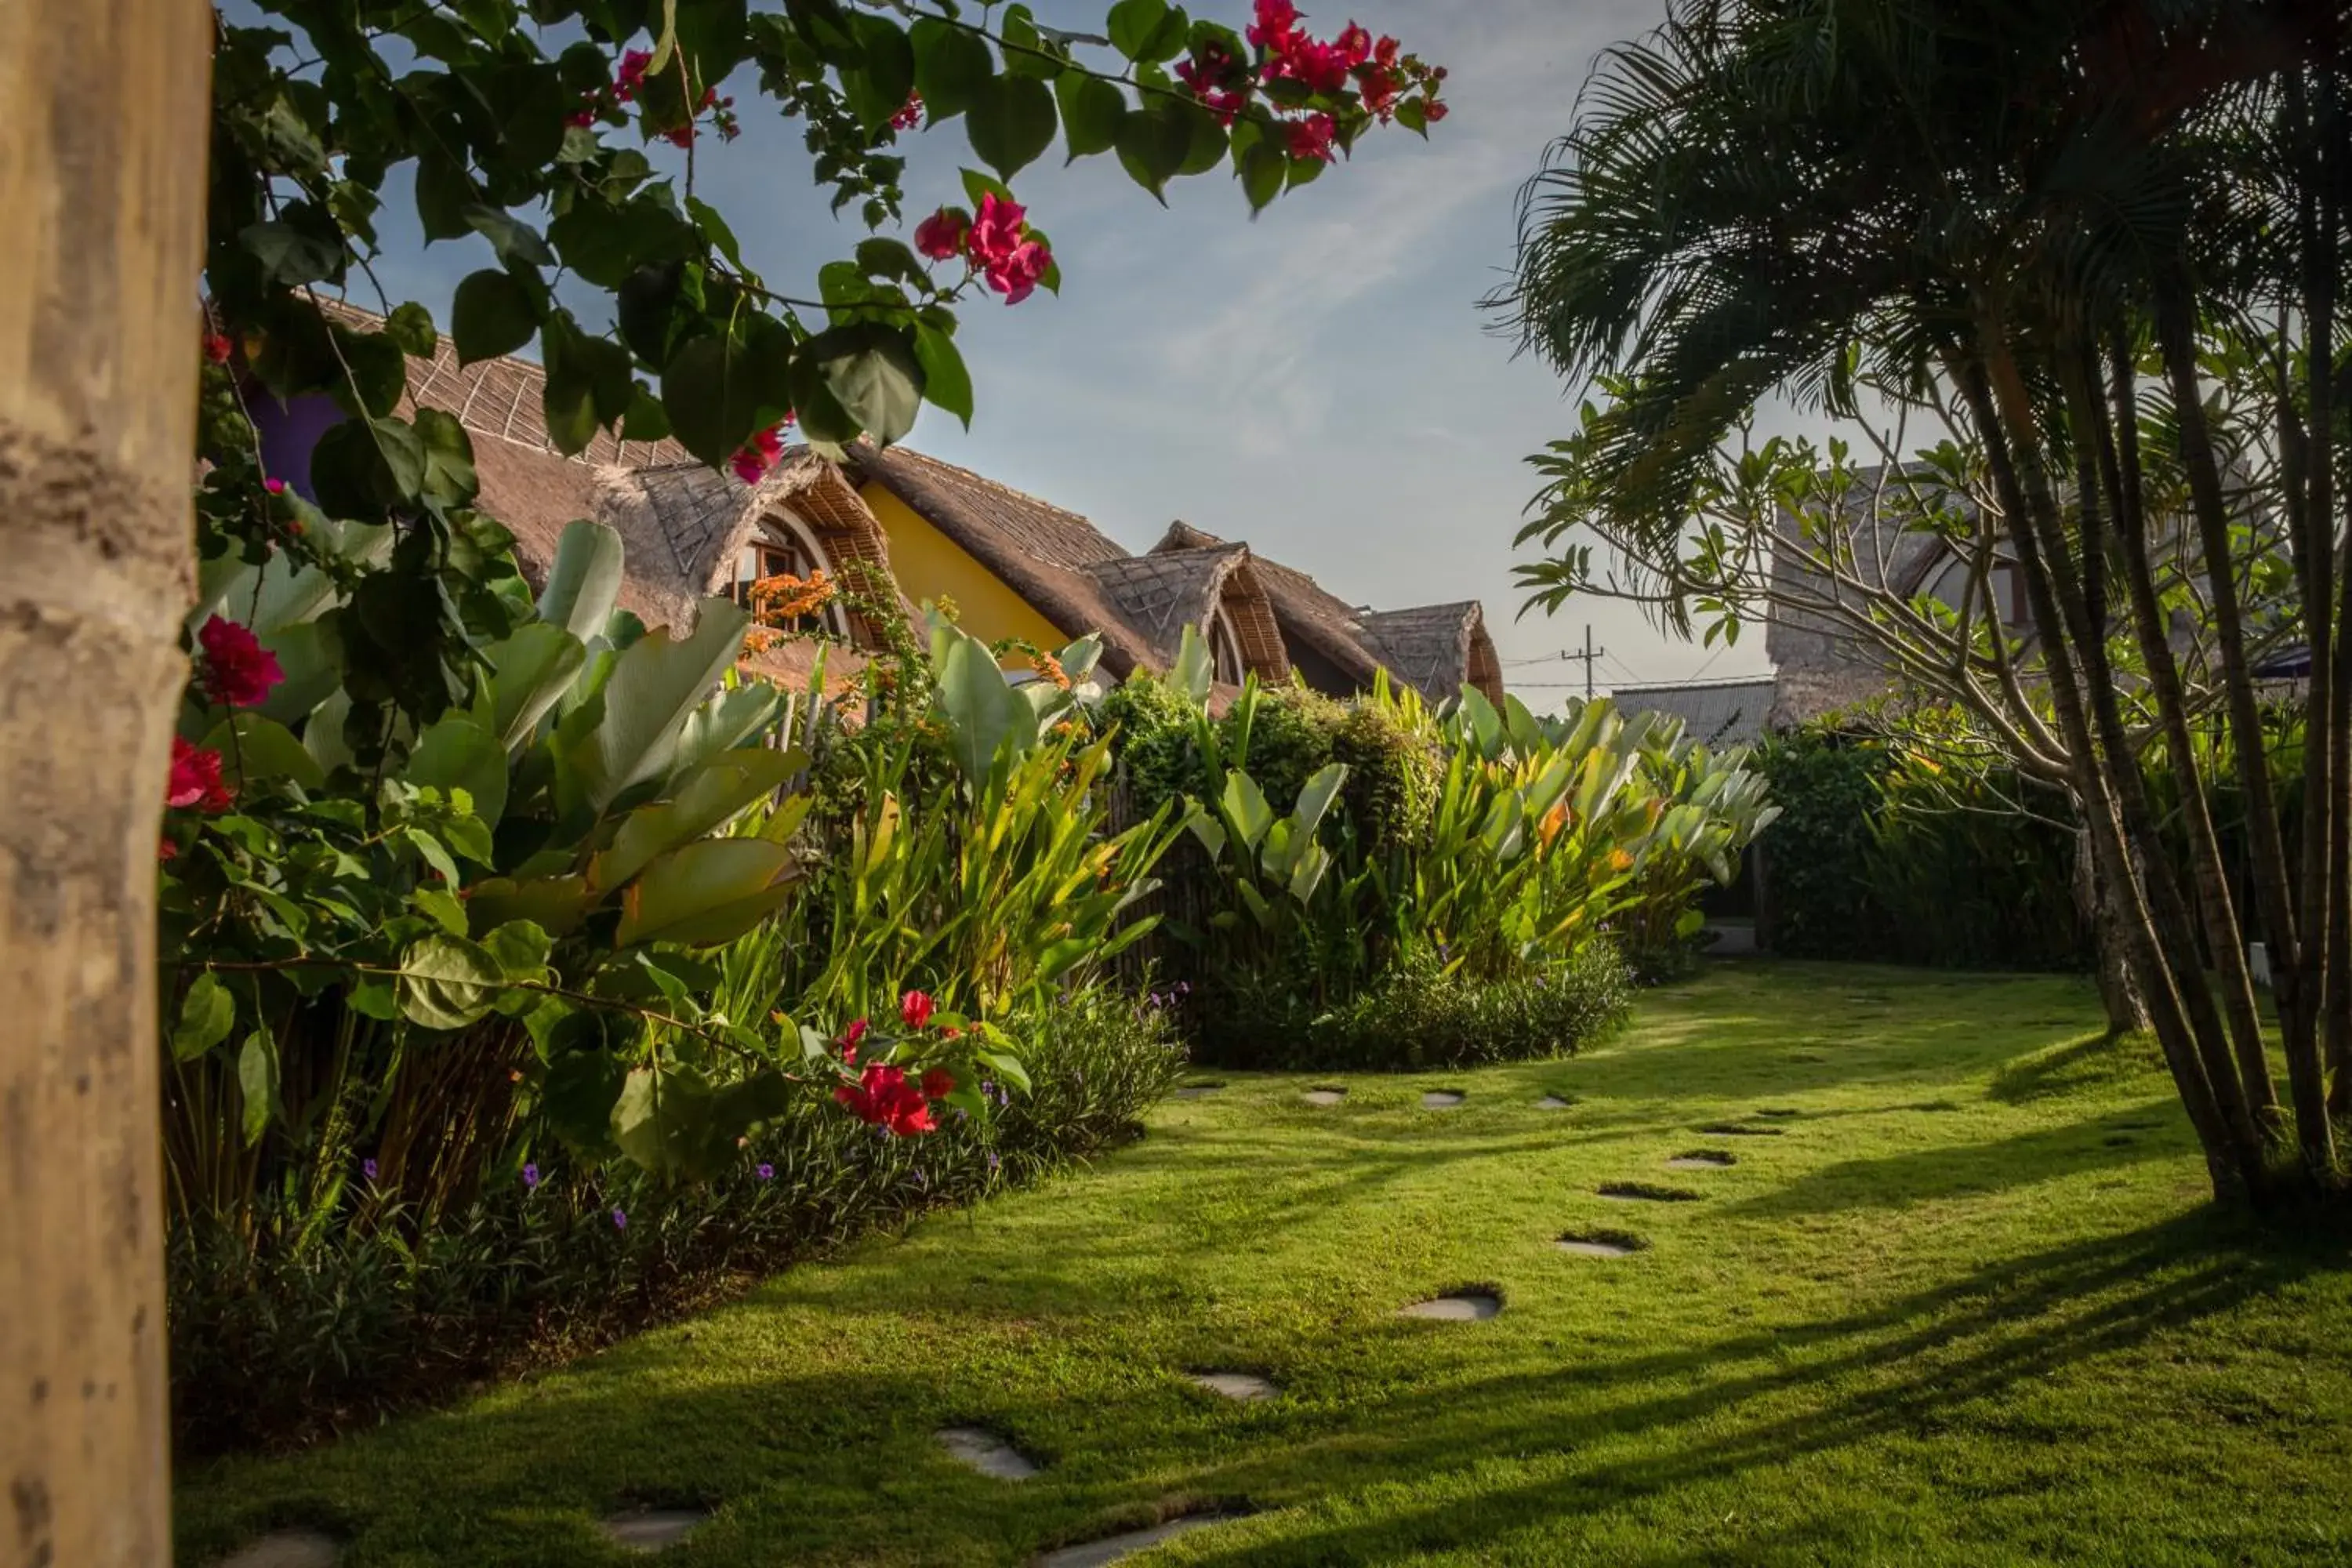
(1436, 648)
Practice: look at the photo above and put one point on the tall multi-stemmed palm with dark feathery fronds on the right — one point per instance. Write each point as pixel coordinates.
(1986, 210)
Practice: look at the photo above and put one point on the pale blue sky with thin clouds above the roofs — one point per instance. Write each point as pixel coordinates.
(1316, 382)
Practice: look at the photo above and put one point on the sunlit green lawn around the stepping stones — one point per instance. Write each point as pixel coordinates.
(1967, 1308)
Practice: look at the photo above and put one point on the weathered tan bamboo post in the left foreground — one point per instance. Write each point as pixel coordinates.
(102, 187)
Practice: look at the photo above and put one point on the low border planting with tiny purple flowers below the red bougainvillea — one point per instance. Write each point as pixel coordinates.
(300, 1322)
